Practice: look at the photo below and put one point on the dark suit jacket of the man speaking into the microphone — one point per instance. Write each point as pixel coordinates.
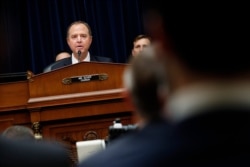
(68, 61)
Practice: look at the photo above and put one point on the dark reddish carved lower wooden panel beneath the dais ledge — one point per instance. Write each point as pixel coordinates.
(82, 129)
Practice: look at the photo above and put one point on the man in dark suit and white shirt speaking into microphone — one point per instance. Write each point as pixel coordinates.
(79, 39)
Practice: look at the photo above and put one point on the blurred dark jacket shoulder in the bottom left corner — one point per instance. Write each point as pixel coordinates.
(32, 154)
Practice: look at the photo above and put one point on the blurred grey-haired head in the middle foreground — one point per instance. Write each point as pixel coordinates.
(144, 79)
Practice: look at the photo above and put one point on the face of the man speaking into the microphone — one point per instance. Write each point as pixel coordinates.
(79, 38)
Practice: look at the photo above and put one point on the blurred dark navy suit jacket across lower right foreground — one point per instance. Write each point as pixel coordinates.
(219, 137)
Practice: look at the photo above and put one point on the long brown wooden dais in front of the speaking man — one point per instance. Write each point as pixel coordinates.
(67, 112)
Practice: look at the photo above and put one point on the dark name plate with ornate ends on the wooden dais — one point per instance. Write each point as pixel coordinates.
(85, 78)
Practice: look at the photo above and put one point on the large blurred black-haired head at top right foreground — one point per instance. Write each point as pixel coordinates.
(207, 37)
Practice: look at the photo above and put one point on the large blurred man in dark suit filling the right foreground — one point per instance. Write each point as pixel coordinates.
(208, 108)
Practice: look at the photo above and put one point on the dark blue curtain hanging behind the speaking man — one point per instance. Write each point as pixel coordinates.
(32, 32)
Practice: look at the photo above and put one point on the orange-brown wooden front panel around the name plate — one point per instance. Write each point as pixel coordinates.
(50, 84)
